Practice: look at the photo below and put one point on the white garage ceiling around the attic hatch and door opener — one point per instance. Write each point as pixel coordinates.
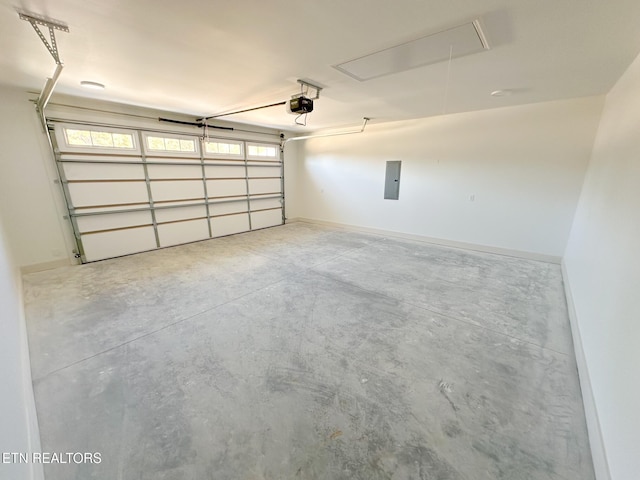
(204, 57)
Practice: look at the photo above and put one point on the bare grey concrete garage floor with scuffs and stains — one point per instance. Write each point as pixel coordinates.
(306, 352)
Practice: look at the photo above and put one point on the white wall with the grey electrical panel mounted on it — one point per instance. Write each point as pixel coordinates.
(525, 166)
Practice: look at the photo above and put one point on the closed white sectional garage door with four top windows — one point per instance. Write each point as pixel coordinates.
(130, 190)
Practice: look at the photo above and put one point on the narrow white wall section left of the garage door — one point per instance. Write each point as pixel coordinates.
(32, 218)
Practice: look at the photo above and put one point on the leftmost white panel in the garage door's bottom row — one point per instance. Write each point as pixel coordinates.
(99, 246)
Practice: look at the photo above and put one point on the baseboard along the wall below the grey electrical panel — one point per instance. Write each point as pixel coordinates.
(436, 241)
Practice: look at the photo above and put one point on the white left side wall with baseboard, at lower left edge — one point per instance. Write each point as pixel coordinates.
(18, 424)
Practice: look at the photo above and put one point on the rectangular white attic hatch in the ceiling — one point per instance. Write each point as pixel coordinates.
(455, 42)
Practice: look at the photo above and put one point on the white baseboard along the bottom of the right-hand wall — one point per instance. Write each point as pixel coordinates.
(598, 450)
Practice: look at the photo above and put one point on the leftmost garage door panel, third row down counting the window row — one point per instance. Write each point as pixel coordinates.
(85, 194)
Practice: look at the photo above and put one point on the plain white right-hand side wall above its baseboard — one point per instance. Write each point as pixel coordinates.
(602, 265)
